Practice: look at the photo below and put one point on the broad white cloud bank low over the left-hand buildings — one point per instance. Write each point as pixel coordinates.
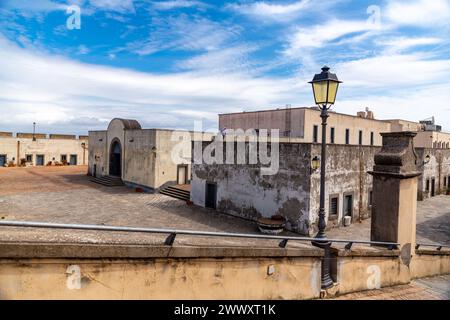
(53, 91)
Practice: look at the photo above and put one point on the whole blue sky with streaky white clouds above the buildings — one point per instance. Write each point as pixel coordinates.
(72, 66)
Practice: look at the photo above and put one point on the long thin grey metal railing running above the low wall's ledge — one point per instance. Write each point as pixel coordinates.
(172, 233)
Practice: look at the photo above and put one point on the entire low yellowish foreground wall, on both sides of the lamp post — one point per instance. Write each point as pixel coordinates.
(86, 271)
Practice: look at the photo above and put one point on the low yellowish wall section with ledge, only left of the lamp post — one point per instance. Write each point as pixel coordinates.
(143, 272)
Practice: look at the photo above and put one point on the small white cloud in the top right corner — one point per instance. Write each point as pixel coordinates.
(419, 13)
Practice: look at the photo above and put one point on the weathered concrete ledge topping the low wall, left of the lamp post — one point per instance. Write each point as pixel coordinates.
(120, 251)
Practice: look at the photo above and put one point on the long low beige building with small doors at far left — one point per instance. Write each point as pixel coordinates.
(26, 149)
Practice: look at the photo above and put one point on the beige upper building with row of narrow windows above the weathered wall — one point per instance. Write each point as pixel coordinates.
(304, 125)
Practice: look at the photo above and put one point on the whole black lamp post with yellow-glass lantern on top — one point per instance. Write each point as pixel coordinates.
(325, 86)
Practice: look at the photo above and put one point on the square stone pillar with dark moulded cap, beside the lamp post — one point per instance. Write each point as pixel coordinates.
(394, 192)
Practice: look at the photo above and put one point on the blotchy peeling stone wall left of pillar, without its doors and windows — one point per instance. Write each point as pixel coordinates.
(293, 191)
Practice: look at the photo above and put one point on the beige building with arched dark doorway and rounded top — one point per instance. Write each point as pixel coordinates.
(147, 158)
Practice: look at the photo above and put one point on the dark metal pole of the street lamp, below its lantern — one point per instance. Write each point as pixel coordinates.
(322, 242)
